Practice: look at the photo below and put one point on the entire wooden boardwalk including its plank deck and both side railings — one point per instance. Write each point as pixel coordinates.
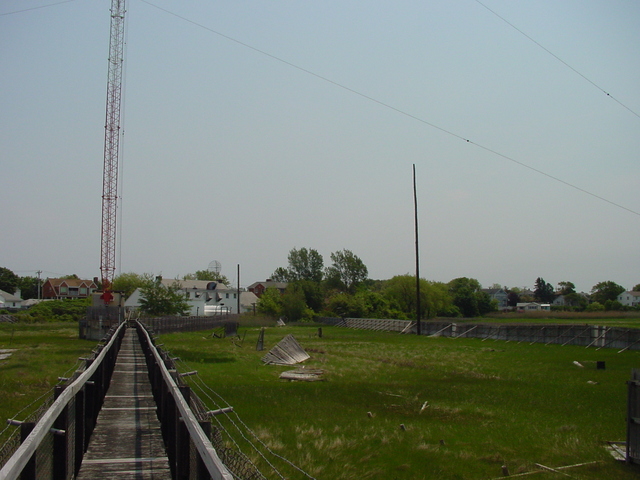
(125, 416)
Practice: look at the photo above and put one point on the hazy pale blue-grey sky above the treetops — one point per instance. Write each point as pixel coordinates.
(254, 127)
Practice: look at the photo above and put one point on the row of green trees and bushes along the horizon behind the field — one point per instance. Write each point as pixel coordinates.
(343, 289)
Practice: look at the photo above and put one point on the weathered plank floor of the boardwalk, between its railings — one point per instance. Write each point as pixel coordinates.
(127, 441)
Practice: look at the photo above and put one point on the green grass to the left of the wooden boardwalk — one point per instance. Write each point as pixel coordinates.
(43, 352)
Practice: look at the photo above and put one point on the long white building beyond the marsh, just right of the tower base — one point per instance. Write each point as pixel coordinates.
(205, 298)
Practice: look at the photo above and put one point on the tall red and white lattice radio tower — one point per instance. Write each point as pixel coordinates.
(111, 147)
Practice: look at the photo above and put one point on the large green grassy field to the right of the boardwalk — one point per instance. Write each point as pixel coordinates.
(486, 404)
